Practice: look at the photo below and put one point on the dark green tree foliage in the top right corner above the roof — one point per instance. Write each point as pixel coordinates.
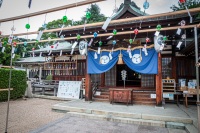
(189, 3)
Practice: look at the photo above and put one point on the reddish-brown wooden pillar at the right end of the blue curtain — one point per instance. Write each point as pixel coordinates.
(159, 82)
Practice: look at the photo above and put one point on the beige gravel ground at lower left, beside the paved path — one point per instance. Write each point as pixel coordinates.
(26, 115)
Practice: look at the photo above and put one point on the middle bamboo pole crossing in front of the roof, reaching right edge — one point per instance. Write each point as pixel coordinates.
(112, 22)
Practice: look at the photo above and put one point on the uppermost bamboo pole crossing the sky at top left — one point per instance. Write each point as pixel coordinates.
(86, 2)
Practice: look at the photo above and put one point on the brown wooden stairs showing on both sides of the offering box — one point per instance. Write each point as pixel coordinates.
(138, 97)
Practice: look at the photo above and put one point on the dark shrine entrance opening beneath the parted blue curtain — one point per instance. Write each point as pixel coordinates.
(133, 79)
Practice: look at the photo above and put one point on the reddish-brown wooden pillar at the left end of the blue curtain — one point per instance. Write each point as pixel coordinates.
(88, 87)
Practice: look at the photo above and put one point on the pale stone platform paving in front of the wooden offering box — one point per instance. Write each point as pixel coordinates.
(171, 110)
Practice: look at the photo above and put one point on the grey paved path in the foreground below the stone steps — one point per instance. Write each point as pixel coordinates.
(70, 124)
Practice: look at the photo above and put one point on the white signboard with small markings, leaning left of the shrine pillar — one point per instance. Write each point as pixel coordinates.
(69, 89)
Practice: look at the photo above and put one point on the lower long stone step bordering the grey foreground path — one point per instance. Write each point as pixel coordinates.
(120, 119)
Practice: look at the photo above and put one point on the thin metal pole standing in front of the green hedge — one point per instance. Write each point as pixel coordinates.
(9, 88)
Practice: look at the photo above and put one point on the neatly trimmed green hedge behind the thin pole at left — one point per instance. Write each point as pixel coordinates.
(18, 83)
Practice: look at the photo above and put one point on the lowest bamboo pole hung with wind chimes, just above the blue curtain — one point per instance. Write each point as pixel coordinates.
(111, 34)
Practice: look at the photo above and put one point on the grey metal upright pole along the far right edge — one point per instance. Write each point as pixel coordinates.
(197, 76)
